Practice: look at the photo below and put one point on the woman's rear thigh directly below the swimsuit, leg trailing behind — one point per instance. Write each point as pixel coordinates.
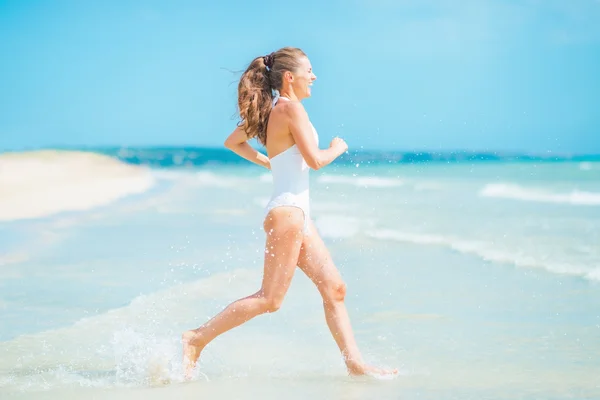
(283, 227)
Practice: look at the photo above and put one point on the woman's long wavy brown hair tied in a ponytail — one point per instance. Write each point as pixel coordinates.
(255, 89)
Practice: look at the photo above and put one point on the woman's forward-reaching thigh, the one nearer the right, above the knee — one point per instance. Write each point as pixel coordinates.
(316, 261)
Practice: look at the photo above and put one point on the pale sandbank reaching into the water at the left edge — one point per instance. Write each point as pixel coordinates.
(42, 183)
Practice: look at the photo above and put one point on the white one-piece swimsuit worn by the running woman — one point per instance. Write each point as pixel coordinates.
(291, 181)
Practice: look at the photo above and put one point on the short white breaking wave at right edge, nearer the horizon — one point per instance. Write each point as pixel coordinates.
(516, 192)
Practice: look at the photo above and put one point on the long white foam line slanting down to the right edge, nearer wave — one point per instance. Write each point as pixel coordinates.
(488, 252)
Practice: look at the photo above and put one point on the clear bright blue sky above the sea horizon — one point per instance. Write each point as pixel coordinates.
(392, 74)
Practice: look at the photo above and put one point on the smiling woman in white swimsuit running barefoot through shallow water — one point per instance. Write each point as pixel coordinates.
(283, 127)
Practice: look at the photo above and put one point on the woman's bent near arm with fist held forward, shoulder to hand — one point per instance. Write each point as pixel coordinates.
(301, 130)
